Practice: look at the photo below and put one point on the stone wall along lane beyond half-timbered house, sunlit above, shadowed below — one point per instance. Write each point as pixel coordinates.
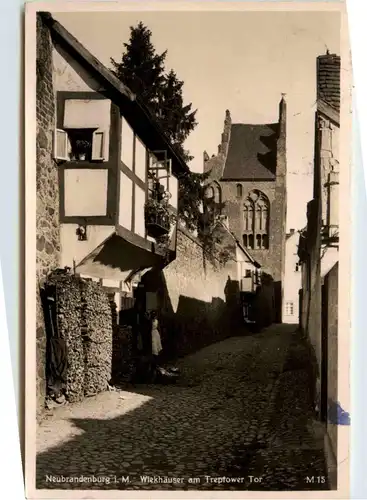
(198, 300)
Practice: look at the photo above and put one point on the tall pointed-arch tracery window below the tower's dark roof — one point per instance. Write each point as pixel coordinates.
(256, 221)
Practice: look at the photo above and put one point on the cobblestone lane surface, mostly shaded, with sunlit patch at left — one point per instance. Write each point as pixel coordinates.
(239, 418)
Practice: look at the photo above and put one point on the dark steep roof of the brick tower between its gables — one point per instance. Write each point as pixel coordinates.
(252, 152)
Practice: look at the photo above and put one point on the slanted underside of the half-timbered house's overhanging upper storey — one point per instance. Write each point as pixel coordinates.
(116, 259)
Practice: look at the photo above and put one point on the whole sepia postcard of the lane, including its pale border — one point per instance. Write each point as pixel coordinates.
(187, 249)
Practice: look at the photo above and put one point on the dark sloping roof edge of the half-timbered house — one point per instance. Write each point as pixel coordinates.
(137, 113)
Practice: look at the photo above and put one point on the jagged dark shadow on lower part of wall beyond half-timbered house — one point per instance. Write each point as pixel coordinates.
(196, 323)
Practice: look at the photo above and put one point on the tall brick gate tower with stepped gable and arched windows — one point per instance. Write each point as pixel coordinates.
(249, 175)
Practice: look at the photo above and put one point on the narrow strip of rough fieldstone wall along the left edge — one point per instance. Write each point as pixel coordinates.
(48, 240)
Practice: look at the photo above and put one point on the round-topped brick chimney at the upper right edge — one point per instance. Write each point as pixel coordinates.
(328, 79)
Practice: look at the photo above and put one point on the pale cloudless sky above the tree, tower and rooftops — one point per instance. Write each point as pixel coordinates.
(241, 61)
